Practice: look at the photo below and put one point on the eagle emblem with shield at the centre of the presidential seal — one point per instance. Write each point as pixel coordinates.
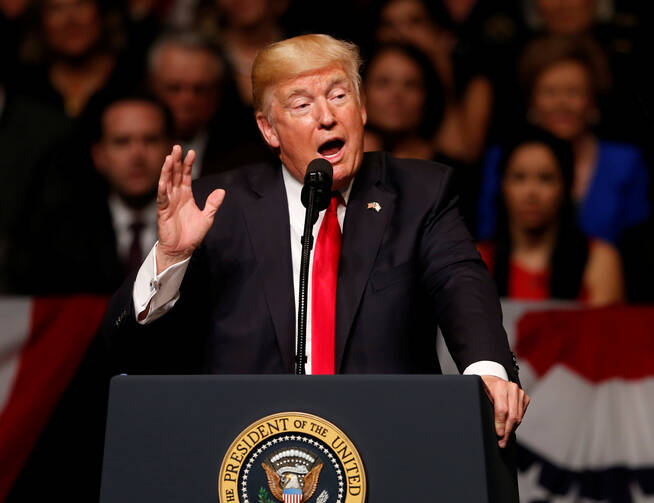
(292, 475)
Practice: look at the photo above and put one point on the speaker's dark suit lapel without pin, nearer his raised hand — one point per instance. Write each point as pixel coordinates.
(268, 226)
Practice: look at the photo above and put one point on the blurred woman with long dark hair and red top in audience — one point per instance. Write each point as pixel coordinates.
(538, 252)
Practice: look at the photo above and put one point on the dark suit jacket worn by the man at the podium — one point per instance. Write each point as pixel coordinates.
(403, 271)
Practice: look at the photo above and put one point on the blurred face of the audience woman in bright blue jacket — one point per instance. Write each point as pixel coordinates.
(561, 100)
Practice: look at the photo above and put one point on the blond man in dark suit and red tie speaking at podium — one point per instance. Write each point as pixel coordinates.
(392, 259)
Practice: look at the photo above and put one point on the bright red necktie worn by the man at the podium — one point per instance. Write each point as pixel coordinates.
(323, 290)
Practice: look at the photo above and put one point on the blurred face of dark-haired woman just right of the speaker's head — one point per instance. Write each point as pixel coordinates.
(395, 93)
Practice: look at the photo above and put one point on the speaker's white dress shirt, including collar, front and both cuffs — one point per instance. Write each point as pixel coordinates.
(162, 291)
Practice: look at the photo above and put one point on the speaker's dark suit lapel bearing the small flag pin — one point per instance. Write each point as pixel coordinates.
(363, 231)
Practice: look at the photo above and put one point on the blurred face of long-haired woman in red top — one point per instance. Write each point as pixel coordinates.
(533, 187)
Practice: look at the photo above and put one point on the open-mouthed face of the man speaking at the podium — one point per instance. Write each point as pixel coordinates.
(317, 114)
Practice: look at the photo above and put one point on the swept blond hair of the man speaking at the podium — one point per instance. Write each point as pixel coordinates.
(292, 57)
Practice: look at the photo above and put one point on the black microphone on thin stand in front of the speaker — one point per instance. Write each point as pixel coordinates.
(316, 194)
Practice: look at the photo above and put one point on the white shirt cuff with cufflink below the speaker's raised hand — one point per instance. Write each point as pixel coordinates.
(161, 291)
